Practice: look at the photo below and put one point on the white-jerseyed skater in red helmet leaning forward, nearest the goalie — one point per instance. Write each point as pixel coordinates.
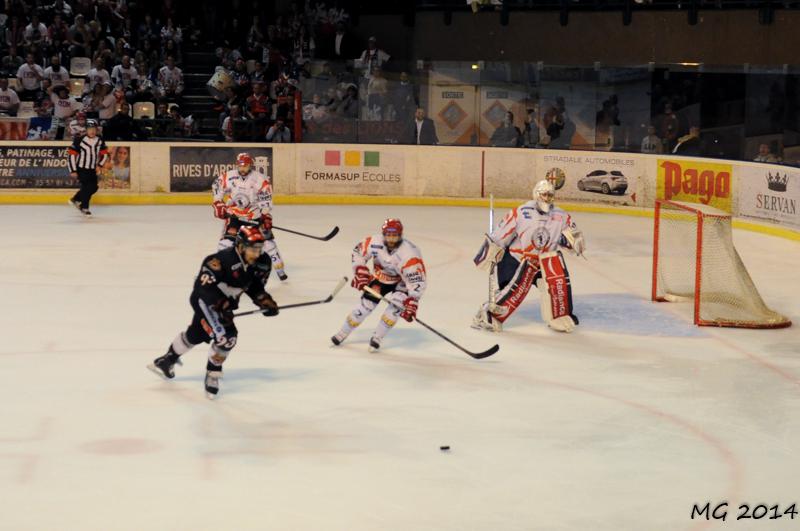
(398, 273)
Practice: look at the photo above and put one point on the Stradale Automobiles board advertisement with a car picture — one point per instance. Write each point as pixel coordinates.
(597, 177)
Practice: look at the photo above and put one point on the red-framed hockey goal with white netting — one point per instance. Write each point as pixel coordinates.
(694, 259)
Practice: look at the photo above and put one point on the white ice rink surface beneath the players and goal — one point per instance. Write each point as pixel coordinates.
(623, 425)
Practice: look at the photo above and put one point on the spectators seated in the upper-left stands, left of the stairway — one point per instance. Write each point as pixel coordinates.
(92, 59)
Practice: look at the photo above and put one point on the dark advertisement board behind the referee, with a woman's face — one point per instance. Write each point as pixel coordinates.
(46, 166)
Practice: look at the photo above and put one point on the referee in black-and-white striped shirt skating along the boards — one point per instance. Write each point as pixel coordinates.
(86, 154)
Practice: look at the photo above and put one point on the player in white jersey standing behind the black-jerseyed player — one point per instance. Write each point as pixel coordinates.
(244, 196)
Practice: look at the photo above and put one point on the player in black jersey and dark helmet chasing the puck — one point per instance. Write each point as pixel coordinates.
(223, 277)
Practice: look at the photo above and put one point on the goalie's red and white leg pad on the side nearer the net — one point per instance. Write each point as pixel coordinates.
(556, 293)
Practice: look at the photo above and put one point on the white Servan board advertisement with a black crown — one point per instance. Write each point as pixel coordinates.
(769, 193)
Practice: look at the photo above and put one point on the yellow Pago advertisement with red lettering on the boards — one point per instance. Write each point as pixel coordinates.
(695, 181)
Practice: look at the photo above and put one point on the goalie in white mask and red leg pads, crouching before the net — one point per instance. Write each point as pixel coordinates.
(524, 249)
